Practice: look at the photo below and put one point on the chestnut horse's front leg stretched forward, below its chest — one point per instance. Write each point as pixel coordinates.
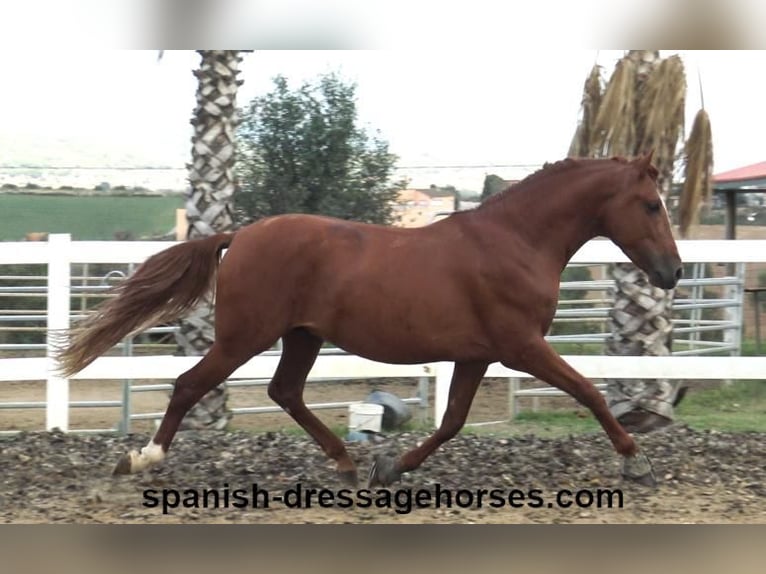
(541, 361)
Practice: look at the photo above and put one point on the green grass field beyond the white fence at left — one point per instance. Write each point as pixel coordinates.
(87, 217)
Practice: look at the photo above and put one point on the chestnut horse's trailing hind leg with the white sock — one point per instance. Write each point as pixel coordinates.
(189, 388)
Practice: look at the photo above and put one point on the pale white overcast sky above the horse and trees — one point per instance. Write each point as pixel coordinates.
(503, 112)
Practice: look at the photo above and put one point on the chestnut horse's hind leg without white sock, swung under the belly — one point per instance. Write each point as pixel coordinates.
(299, 351)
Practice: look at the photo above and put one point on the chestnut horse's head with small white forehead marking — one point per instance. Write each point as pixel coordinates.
(636, 220)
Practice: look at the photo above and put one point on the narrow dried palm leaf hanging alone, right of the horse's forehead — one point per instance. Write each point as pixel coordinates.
(698, 184)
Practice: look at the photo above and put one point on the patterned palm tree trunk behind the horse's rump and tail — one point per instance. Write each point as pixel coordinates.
(209, 205)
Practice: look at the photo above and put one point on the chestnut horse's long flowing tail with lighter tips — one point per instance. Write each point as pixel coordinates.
(161, 290)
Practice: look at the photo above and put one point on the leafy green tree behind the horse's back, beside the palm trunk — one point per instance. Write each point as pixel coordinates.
(301, 151)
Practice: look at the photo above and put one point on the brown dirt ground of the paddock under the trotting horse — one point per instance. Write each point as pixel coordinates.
(52, 477)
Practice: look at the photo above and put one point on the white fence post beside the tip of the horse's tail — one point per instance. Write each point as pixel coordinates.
(59, 278)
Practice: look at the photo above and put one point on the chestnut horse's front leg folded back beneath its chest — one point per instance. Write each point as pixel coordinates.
(465, 380)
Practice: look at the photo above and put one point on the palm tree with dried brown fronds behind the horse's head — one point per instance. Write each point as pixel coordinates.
(642, 108)
